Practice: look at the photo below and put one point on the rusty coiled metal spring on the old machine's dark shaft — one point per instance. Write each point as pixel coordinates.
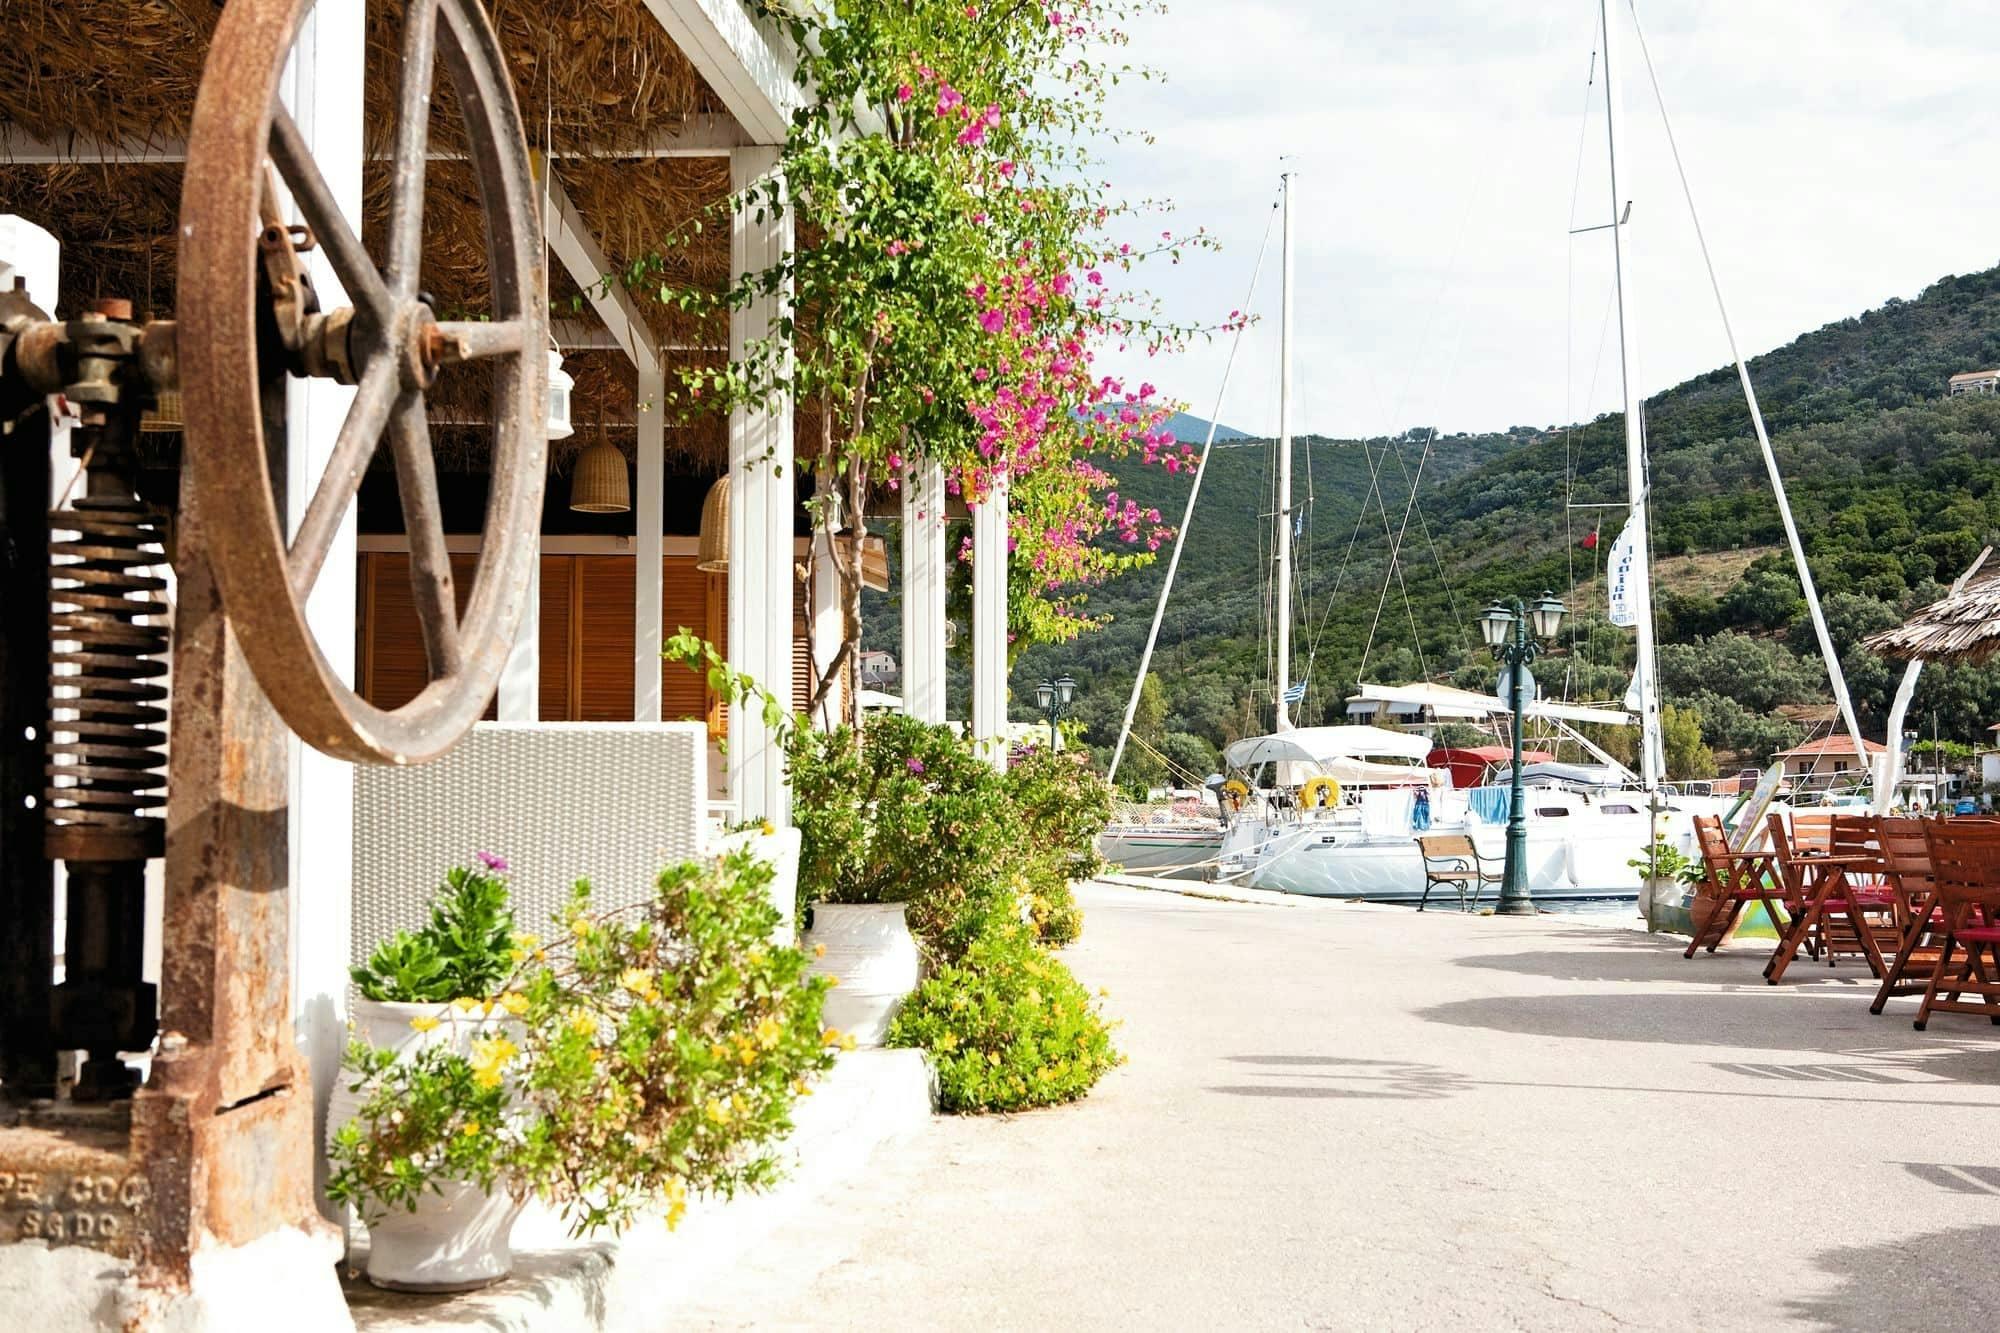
(107, 750)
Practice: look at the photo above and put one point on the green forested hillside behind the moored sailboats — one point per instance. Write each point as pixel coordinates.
(1895, 489)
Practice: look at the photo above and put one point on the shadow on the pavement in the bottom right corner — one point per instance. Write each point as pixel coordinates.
(1943, 1280)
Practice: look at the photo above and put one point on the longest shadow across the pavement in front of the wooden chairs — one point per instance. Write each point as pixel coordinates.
(1763, 1020)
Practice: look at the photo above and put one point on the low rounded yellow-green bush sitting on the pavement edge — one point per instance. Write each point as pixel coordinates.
(1009, 1028)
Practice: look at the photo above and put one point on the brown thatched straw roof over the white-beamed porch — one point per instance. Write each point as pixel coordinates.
(591, 75)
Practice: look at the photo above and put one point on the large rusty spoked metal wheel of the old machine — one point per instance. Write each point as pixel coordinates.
(389, 343)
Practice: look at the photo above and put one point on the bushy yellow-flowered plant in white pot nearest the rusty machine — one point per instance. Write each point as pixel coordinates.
(645, 1054)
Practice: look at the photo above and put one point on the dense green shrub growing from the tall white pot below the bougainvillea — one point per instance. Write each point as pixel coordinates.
(907, 814)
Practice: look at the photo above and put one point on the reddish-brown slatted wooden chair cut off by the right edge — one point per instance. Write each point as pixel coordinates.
(1965, 868)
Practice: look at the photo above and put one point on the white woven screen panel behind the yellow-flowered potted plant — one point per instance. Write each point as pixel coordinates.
(561, 802)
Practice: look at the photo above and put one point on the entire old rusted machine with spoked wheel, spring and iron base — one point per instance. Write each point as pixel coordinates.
(217, 1146)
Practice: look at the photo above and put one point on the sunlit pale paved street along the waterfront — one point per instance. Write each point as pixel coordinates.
(1369, 1120)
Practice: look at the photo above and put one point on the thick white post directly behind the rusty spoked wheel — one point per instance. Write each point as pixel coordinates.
(323, 91)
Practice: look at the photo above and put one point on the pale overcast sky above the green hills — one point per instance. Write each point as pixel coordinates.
(1843, 153)
